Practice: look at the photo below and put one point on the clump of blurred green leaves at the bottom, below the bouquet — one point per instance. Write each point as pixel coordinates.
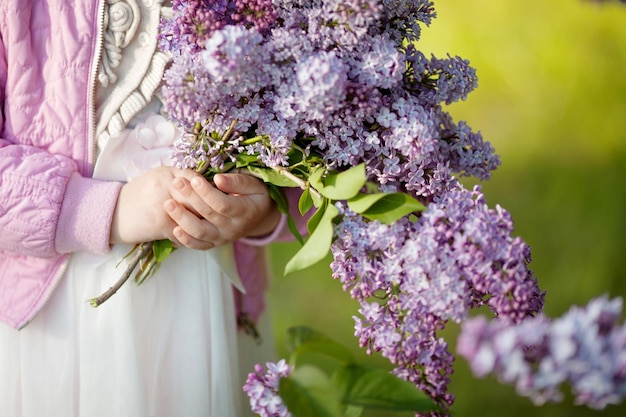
(327, 381)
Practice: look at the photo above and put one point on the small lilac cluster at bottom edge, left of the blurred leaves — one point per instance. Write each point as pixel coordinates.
(262, 389)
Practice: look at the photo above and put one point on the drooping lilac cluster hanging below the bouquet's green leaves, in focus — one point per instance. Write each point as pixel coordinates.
(411, 277)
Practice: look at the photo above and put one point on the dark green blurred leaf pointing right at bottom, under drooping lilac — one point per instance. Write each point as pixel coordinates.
(372, 387)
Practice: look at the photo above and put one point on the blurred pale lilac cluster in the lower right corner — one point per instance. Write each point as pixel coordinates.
(583, 348)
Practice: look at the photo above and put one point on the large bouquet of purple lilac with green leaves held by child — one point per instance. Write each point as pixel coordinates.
(334, 97)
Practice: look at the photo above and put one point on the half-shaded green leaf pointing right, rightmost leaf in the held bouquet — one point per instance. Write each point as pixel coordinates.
(384, 207)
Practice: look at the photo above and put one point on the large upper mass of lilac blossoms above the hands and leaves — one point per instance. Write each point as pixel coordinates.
(336, 71)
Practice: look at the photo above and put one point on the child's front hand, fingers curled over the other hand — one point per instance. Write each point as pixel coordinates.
(206, 216)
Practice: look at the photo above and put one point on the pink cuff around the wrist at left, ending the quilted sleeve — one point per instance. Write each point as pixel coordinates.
(86, 215)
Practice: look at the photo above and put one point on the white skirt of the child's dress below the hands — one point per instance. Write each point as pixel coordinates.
(167, 348)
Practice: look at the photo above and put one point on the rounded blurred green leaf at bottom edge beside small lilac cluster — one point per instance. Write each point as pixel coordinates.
(307, 392)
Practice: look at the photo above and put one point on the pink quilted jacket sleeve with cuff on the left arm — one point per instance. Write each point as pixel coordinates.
(46, 207)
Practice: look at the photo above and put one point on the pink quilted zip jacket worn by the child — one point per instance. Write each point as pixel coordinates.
(49, 204)
